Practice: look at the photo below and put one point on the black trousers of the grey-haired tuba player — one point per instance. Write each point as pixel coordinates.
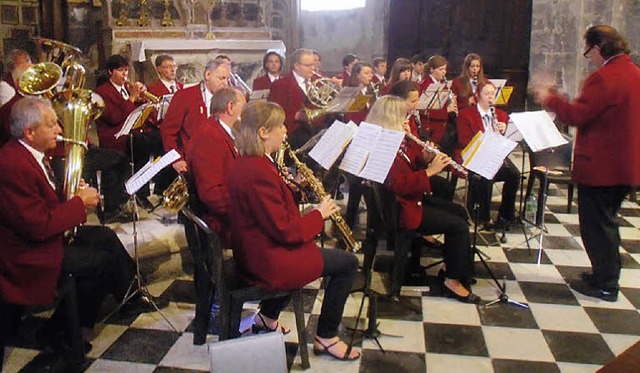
(100, 265)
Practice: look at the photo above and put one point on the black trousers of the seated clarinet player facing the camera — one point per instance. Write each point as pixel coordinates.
(480, 191)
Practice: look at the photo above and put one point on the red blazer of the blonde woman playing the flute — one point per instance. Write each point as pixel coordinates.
(409, 181)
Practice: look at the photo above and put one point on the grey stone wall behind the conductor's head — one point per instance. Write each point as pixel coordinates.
(558, 28)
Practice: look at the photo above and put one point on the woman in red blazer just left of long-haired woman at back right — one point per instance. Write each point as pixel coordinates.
(437, 118)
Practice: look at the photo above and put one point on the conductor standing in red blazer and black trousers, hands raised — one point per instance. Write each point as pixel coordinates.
(606, 160)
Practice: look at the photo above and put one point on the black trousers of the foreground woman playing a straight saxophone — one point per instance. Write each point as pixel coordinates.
(340, 268)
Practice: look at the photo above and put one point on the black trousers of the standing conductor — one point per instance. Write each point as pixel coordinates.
(599, 230)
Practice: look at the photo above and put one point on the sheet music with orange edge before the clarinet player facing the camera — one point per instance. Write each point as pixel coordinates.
(487, 154)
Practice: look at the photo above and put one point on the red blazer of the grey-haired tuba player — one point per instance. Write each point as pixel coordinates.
(32, 222)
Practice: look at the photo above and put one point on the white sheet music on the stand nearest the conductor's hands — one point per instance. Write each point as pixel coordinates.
(538, 130)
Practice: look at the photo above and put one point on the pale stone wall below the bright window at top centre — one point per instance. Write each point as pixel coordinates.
(337, 33)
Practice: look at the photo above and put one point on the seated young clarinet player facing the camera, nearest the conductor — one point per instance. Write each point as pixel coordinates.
(478, 118)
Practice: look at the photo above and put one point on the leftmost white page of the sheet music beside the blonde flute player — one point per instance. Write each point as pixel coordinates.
(332, 143)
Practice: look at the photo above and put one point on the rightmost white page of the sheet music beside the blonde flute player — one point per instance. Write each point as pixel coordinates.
(381, 160)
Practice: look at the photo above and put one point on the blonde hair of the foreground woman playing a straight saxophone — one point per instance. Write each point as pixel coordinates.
(257, 114)
